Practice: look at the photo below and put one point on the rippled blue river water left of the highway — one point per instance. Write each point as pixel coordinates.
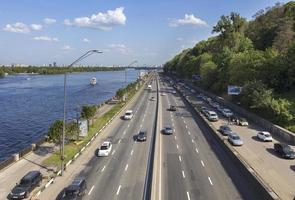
(30, 103)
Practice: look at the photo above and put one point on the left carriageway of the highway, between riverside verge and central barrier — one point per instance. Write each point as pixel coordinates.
(122, 174)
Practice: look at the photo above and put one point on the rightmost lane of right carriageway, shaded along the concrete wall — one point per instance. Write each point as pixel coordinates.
(224, 175)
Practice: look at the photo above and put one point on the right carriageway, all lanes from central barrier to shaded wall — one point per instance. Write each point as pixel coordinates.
(193, 165)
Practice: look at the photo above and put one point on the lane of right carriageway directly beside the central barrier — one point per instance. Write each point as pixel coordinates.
(172, 181)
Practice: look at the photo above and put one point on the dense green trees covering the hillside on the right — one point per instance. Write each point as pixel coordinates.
(257, 55)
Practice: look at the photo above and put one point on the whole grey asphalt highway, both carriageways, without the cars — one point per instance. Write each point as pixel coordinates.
(190, 163)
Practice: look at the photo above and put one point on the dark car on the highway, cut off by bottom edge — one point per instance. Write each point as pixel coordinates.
(76, 190)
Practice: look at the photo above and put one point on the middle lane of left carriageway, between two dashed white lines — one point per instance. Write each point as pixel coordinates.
(107, 187)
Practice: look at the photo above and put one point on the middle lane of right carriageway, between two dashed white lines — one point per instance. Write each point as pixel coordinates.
(196, 181)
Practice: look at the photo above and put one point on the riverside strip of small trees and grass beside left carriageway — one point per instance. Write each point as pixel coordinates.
(73, 143)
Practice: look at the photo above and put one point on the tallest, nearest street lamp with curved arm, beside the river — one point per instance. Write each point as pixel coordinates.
(85, 55)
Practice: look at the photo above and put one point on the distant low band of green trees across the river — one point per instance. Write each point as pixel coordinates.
(55, 70)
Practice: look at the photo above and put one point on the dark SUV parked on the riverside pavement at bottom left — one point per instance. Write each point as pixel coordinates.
(26, 185)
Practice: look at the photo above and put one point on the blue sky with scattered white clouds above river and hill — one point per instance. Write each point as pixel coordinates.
(147, 31)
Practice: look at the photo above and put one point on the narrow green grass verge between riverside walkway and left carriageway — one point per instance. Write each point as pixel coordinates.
(71, 149)
